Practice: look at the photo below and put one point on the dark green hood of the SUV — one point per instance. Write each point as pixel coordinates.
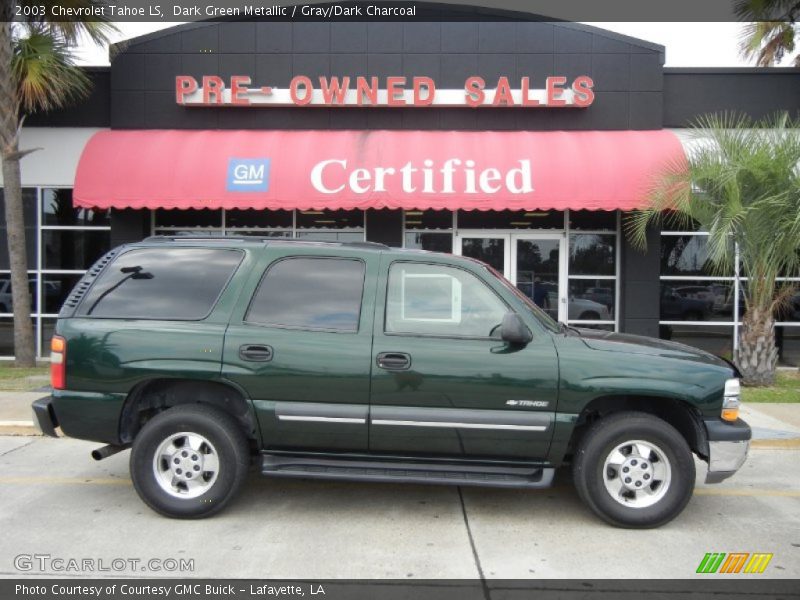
(637, 344)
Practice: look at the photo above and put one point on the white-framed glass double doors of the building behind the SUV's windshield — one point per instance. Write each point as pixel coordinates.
(534, 262)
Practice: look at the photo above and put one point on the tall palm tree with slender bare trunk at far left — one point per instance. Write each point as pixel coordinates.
(37, 72)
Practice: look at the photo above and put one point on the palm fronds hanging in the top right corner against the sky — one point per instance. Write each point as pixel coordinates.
(771, 31)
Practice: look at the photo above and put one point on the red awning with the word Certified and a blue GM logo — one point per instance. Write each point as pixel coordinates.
(486, 170)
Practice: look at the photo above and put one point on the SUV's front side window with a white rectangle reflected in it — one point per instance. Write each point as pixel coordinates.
(427, 299)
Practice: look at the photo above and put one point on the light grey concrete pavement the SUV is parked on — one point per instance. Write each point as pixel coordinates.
(56, 501)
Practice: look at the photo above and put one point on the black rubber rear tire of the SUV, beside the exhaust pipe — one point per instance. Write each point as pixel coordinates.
(224, 438)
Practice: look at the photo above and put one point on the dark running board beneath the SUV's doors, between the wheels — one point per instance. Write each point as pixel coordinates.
(317, 467)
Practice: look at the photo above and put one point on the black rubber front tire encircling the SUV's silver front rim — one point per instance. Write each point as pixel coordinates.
(618, 429)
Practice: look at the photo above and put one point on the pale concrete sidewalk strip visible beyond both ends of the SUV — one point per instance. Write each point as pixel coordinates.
(773, 424)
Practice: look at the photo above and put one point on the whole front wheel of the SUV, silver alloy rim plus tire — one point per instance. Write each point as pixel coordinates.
(634, 470)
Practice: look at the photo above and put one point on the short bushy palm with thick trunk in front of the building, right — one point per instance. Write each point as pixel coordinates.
(740, 181)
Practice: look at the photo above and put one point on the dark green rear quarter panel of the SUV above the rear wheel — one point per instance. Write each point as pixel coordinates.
(107, 358)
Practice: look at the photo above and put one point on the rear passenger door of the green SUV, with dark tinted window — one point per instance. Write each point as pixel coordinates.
(308, 379)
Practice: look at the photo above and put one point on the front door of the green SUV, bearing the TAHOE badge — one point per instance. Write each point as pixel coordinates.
(471, 396)
